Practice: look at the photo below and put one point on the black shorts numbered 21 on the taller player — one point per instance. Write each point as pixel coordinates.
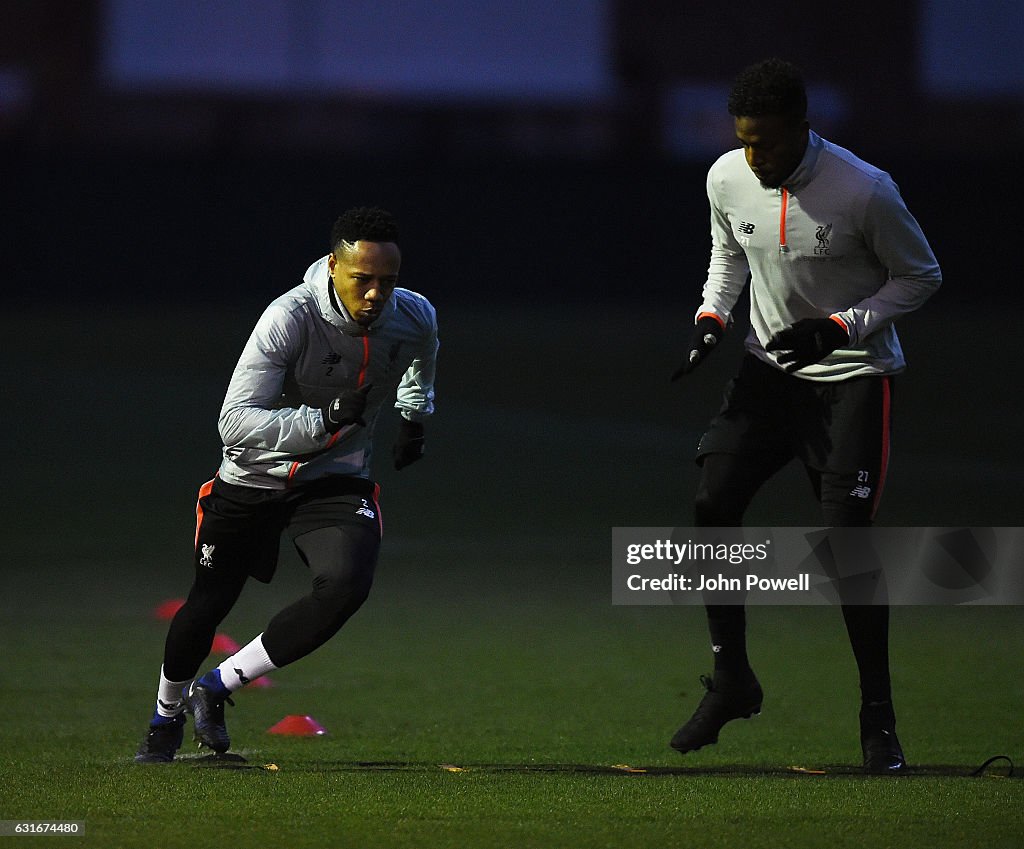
(839, 429)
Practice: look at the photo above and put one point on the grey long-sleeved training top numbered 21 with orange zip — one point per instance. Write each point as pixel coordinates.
(836, 240)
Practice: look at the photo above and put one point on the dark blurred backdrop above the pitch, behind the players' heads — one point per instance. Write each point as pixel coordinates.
(119, 186)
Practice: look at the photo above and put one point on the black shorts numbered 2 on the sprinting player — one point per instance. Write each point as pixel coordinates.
(239, 529)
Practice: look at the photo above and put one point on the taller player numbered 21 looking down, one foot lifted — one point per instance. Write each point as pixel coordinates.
(834, 258)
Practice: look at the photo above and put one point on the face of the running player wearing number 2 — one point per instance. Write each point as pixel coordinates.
(365, 277)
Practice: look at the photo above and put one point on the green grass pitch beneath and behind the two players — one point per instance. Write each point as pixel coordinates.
(489, 695)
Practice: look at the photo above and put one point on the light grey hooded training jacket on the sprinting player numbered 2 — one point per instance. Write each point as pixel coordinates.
(304, 351)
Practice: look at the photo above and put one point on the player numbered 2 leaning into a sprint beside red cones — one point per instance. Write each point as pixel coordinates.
(297, 429)
